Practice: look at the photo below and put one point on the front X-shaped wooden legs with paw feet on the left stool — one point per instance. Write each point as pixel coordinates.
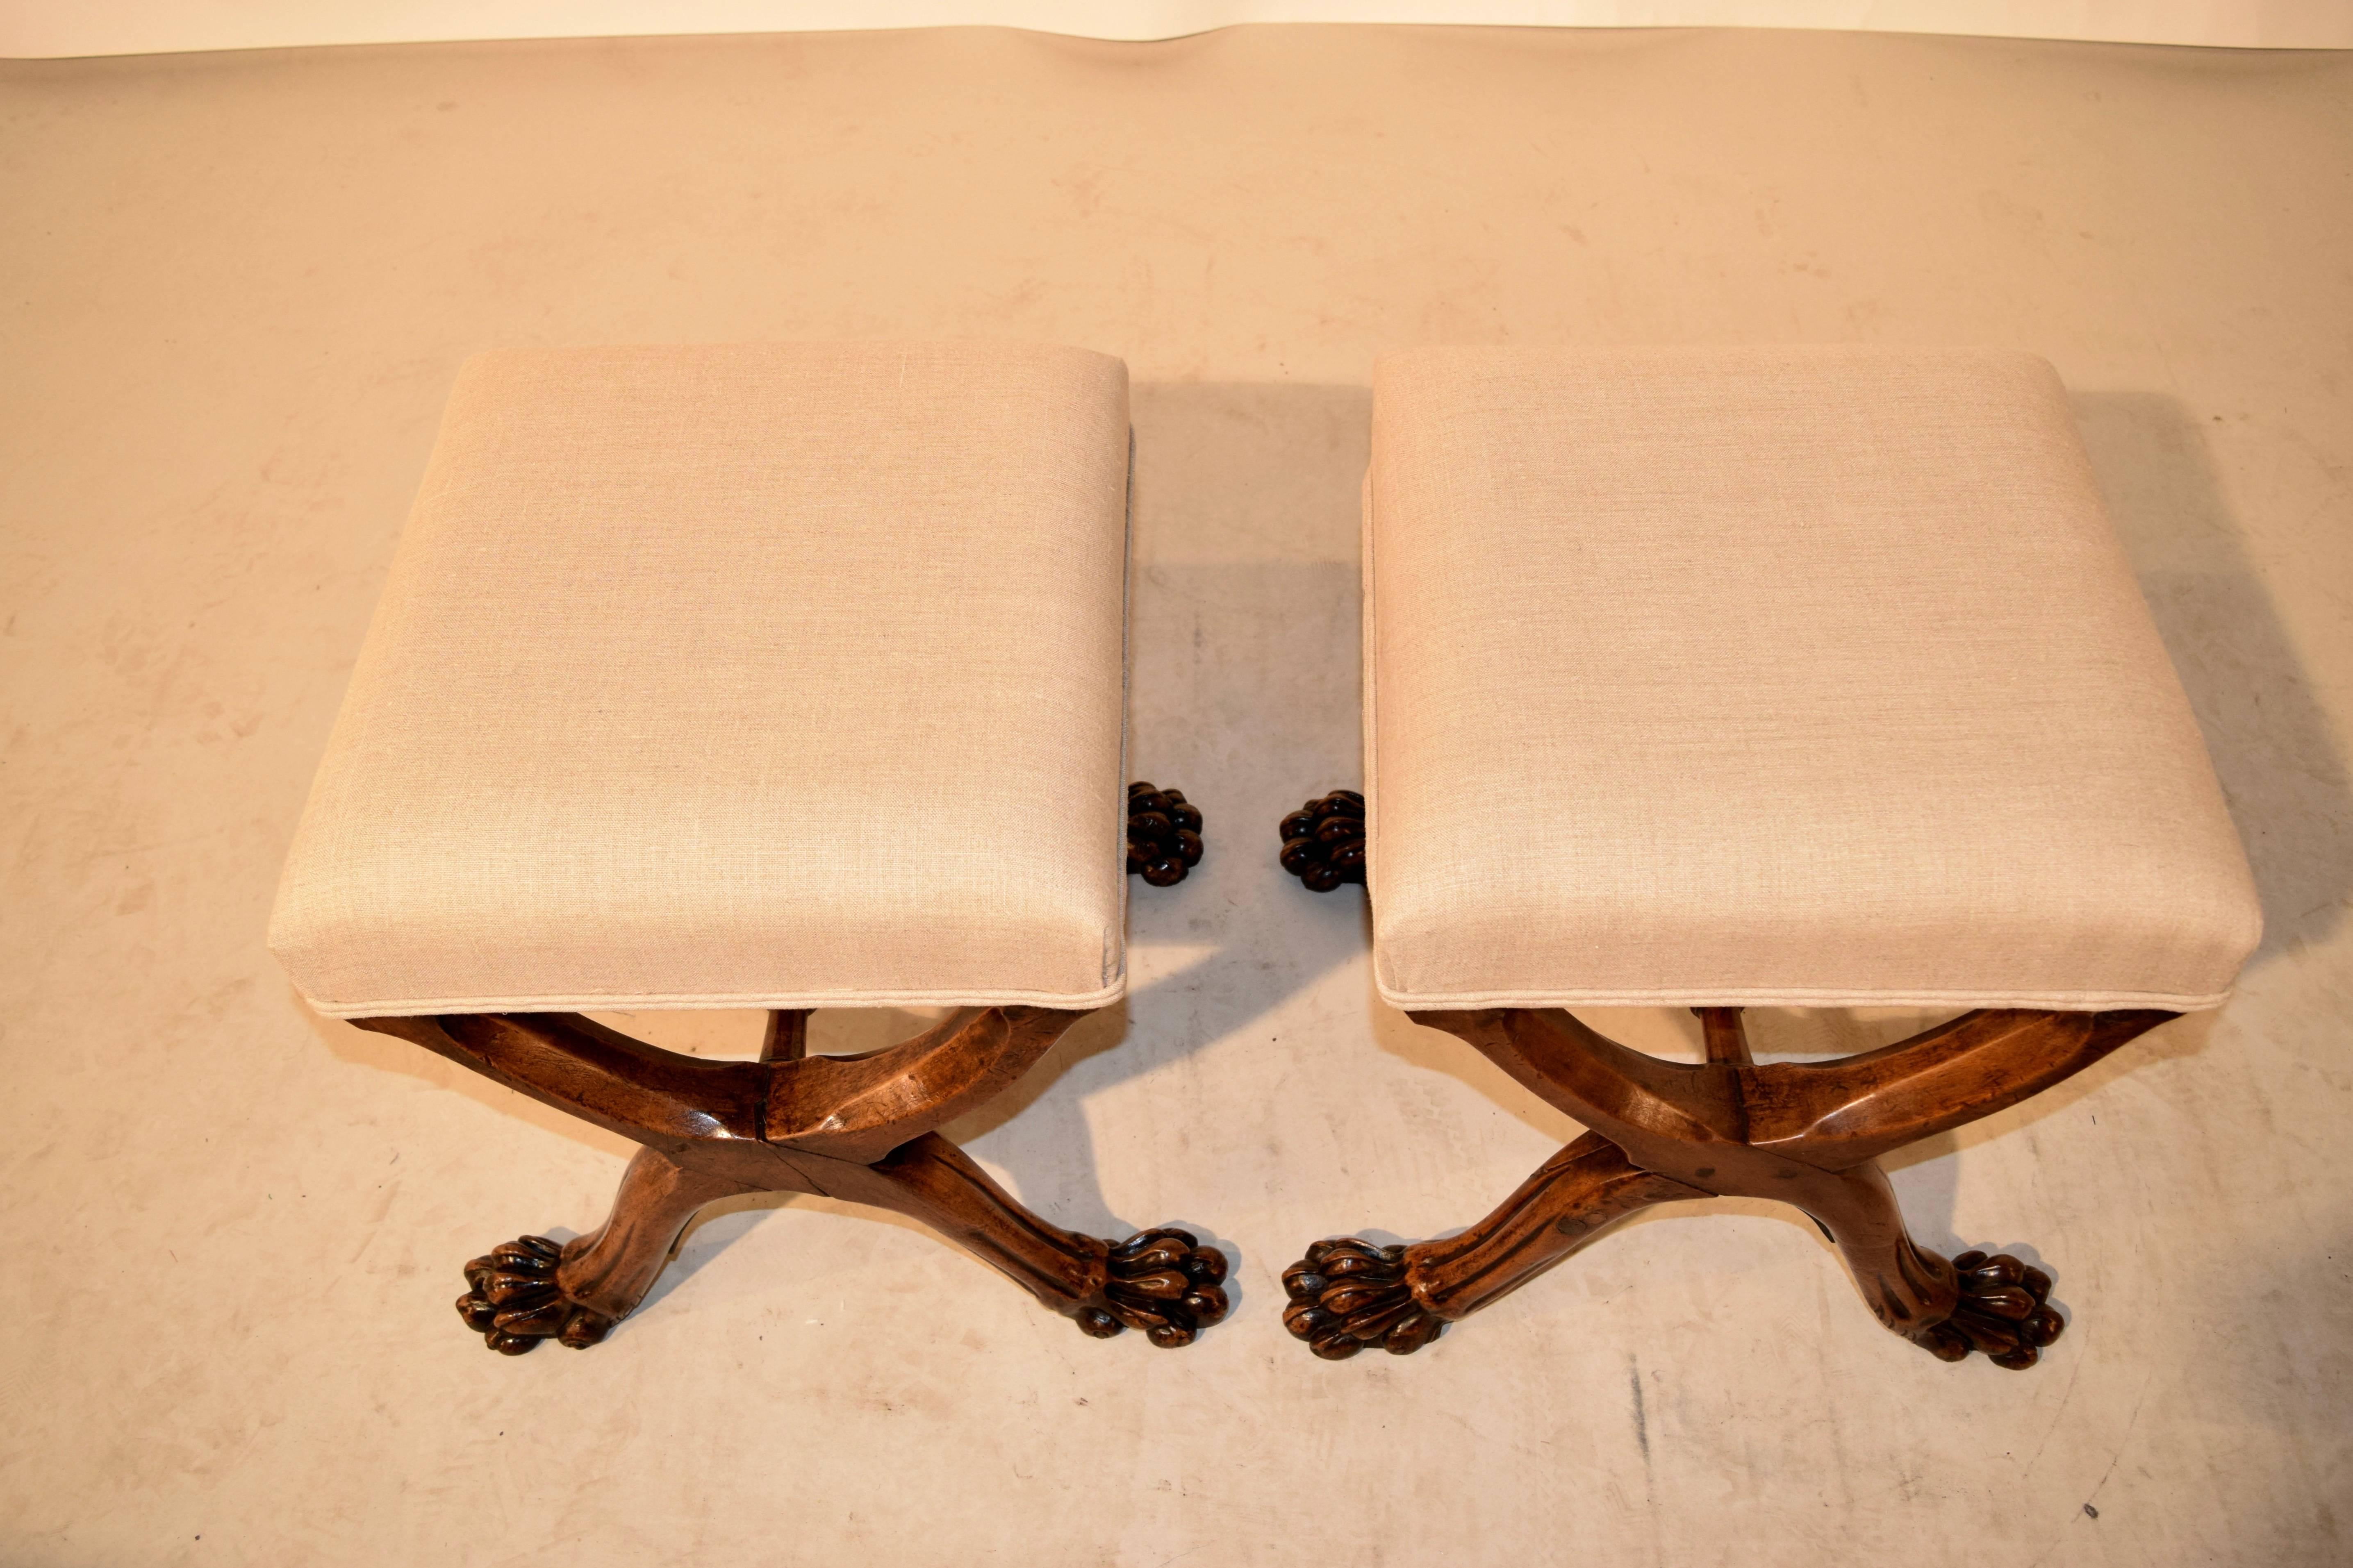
(848, 1127)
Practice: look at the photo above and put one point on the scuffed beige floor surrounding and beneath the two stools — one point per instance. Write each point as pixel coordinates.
(236, 293)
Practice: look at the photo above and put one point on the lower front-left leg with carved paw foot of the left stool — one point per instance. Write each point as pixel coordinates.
(533, 1289)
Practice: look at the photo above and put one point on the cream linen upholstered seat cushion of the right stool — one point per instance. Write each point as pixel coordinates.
(1804, 678)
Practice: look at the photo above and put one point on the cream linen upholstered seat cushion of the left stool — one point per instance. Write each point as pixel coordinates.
(771, 676)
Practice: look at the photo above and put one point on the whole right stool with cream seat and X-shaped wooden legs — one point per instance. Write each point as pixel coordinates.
(1766, 678)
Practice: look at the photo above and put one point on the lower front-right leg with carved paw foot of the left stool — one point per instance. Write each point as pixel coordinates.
(1161, 1282)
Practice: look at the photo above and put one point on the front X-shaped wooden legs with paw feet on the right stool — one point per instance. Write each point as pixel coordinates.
(1726, 1127)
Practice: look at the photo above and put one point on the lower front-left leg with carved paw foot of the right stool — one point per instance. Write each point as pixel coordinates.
(1349, 1294)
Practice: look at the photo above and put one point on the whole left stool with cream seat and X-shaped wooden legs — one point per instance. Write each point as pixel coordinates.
(752, 678)
